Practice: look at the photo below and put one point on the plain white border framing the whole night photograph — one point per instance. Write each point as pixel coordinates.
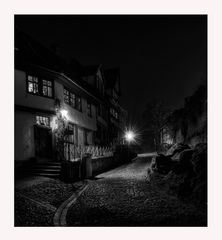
(8, 9)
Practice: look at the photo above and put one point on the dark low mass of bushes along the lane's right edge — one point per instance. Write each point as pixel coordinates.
(186, 177)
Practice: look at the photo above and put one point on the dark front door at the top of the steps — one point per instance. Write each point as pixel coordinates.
(43, 142)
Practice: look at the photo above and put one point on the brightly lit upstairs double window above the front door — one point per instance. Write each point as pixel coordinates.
(40, 86)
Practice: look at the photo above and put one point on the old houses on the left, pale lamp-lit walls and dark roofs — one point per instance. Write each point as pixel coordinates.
(44, 85)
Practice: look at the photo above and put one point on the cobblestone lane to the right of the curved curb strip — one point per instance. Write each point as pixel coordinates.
(124, 197)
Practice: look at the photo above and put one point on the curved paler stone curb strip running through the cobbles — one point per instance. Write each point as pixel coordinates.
(59, 219)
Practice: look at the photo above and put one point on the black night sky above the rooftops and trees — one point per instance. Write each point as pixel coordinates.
(158, 56)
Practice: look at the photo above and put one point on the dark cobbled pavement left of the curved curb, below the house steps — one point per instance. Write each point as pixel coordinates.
(37, 199)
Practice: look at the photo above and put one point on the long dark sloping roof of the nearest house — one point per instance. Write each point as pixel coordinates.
(30, 52)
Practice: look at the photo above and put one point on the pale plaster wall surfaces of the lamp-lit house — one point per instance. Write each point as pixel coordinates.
(24, 121)
